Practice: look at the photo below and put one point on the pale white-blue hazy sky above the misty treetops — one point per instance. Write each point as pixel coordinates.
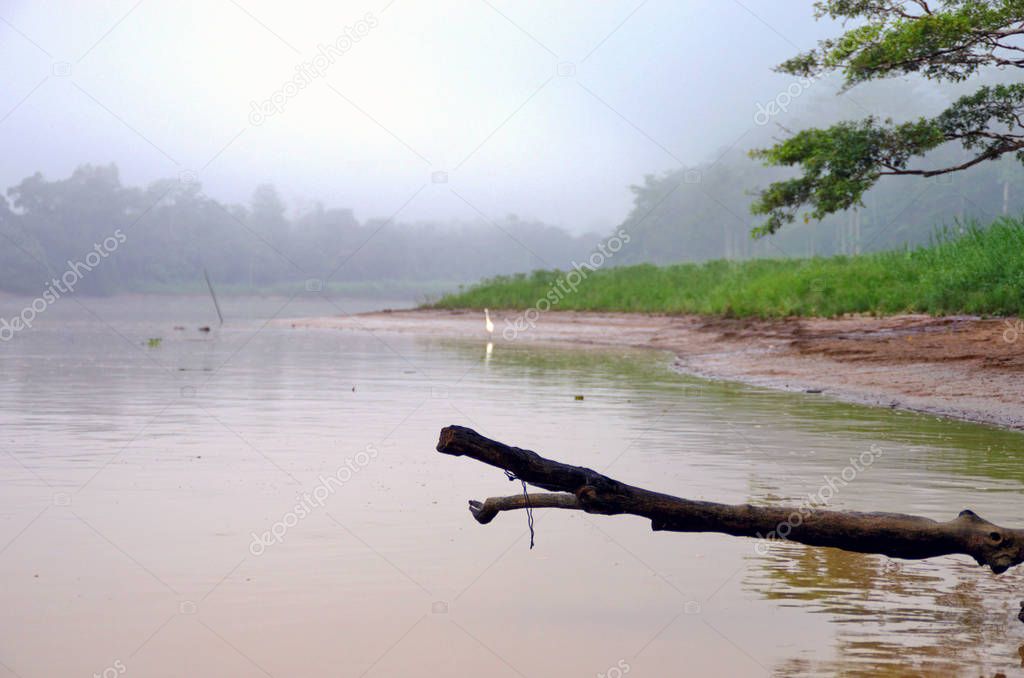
(410, 110)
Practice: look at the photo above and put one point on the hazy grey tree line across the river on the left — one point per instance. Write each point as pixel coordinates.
(175, 231)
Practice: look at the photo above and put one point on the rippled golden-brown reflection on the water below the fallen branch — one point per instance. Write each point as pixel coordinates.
(895, 618)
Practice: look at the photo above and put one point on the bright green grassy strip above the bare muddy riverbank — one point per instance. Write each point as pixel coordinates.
(980, 272)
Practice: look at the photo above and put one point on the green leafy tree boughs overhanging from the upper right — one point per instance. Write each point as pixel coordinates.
(943, 40)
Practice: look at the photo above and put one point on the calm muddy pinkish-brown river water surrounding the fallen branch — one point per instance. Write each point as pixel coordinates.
(136, 481)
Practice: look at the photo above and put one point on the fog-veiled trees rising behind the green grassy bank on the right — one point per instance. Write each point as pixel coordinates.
(703, 211)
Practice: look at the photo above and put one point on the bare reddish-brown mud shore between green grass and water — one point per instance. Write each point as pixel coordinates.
(959, 367)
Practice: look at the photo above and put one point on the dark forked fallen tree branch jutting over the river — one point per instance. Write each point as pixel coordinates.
(895, 535)
